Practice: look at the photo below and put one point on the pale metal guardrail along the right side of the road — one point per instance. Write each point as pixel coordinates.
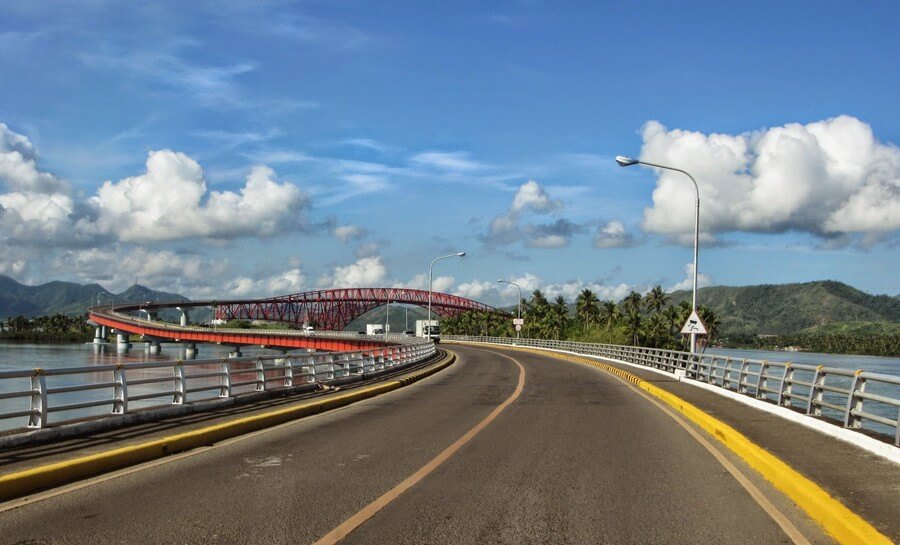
(857, 398)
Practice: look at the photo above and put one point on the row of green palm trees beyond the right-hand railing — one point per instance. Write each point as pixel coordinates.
(639, 320)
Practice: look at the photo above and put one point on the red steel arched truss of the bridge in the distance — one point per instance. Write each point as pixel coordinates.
(335, 308)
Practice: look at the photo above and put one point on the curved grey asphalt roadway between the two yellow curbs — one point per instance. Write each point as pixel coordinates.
(577, 457)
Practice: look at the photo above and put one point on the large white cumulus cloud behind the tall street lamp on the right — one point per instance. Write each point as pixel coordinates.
(829, 178)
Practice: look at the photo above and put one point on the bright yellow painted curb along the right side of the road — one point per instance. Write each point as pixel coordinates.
(840, 522)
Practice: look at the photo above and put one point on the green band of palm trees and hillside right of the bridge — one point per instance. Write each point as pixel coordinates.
(734, 317)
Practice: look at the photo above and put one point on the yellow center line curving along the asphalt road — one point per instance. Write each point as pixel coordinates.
(369, 511)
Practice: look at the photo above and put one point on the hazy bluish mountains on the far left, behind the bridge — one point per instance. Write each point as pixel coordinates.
(68, 298)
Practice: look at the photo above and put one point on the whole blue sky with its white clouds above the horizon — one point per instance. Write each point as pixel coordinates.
(253, 149)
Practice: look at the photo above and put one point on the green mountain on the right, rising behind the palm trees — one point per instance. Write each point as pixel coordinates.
(786, 309)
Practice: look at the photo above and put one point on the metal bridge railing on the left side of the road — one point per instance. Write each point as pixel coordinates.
(151, 385)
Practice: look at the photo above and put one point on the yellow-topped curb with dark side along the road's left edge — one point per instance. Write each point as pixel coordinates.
(15, 485)
